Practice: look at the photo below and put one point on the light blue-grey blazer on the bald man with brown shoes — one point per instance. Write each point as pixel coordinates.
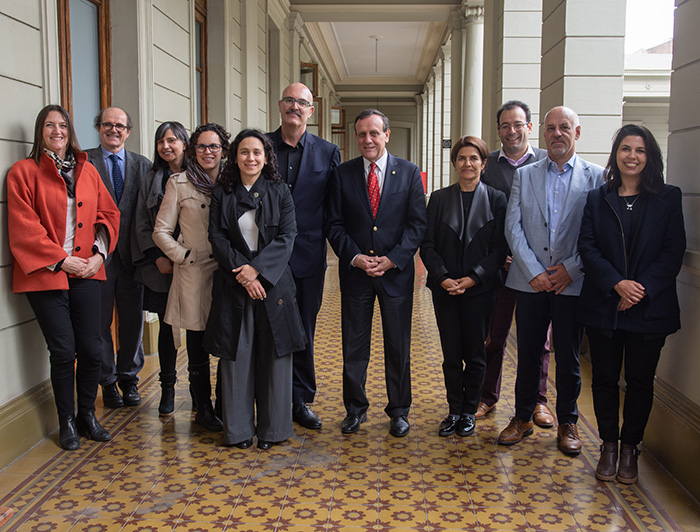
(526, 224)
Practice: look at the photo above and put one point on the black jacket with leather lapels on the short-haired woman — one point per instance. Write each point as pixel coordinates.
(442, 250)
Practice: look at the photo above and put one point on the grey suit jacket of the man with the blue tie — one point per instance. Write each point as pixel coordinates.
(135, 167)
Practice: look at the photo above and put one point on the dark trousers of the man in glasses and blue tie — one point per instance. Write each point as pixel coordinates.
(121, 288)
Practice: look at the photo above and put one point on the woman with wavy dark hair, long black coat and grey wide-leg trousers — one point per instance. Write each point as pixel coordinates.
(254, 325)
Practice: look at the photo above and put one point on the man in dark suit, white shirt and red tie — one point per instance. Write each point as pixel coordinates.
(377, 219)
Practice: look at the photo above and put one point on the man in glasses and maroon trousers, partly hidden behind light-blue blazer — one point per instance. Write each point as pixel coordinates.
(514, 127)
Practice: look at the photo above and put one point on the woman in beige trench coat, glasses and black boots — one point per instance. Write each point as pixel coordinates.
(181, 231)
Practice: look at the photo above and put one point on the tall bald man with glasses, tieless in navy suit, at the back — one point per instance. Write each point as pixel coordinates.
(306, 163)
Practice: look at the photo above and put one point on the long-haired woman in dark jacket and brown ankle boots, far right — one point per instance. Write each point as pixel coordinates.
(632, 242)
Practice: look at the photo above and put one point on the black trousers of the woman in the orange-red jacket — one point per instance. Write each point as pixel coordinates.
(71, 326)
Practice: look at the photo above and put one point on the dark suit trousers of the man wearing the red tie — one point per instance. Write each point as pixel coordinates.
(356, 314)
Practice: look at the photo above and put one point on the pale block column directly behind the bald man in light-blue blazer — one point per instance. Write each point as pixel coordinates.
(582, 68)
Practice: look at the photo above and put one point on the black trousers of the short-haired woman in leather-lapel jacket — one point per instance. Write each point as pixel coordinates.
(463, 326)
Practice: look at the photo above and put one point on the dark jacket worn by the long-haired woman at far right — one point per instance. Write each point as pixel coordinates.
(654, 261)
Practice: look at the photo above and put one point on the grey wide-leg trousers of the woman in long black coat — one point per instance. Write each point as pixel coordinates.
(257, 379)
